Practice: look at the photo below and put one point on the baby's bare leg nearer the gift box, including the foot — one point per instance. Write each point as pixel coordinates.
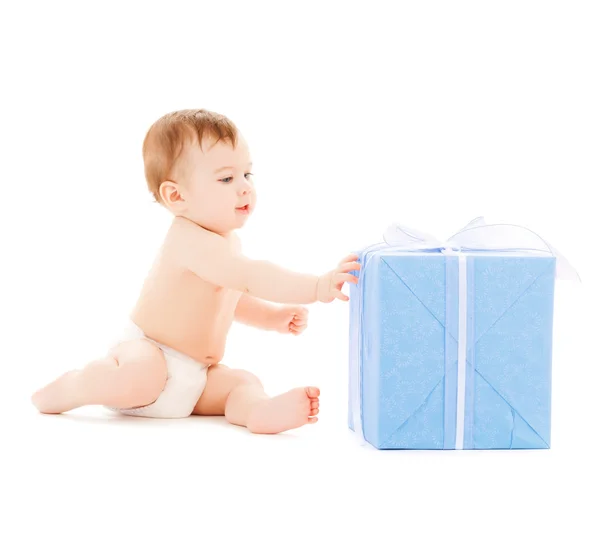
(239, 395)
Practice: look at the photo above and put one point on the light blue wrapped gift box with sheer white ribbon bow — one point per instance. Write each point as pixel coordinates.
(451, 342)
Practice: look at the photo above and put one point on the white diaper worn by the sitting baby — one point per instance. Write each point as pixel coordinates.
(186, 380)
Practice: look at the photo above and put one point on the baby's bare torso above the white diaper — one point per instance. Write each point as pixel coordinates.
(182, 311)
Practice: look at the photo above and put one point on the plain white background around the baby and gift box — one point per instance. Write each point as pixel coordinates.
(357, 114)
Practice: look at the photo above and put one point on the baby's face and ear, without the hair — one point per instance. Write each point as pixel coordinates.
(218, 188)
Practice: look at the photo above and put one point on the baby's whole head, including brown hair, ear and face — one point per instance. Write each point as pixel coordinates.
(198, 166)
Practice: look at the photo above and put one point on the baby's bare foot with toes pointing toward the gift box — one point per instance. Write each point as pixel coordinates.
(284, 412)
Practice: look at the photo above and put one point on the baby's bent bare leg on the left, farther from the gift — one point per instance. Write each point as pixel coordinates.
(133, 376)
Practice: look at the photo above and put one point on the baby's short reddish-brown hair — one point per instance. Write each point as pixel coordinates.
(167, 137)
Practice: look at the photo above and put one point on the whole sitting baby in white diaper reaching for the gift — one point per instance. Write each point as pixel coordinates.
(167, 362)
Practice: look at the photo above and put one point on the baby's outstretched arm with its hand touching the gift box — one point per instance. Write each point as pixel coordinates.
(211, 257)
